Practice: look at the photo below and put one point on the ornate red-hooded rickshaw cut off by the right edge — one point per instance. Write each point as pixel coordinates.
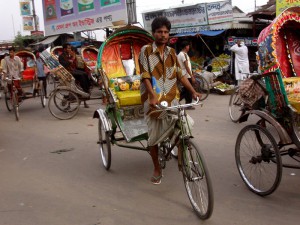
(259, 148)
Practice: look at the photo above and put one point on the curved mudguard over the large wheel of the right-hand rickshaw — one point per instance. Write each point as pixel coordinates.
(282, 133)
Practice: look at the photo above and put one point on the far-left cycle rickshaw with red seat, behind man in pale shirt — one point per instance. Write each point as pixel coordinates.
(29, 84)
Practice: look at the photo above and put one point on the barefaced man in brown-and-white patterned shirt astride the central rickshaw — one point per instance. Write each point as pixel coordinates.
(160, 71)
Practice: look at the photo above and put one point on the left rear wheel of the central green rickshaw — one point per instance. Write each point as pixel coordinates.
(104, 145)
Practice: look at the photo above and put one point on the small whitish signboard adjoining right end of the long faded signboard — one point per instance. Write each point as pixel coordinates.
(219, 12)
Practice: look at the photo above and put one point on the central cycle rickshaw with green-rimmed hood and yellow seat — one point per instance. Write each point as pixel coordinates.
(119, 69)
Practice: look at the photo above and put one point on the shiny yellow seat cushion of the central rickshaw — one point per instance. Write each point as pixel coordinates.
(127, 98)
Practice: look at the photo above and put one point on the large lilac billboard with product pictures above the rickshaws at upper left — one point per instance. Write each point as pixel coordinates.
(63, 16)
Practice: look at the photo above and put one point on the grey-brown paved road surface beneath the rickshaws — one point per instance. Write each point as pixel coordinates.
(50, 173)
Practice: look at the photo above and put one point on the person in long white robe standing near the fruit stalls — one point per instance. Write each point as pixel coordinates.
(241, 63)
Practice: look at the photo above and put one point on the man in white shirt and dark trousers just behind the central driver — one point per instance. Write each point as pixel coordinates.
(185, 64)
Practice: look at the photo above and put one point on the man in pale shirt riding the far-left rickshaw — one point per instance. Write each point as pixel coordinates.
(12, 68)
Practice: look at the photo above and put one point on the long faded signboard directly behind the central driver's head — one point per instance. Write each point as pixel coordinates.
(179, 17)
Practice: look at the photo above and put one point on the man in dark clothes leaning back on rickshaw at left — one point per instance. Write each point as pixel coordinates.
(68, 60)
